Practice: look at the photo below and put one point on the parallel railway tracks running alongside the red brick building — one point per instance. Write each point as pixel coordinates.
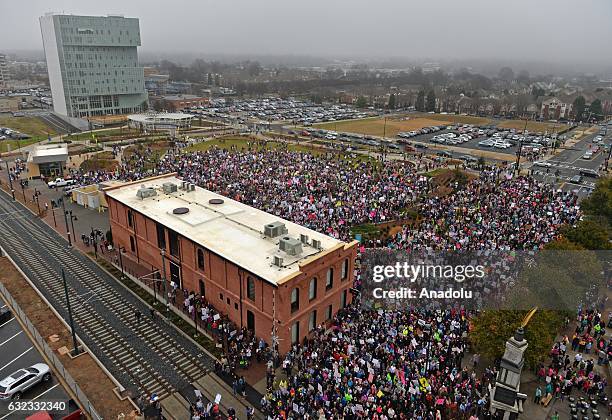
(145, 355)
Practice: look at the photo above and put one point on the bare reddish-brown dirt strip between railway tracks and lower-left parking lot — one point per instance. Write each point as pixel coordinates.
(85, 371)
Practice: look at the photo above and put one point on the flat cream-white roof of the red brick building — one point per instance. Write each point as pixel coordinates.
(231, 229)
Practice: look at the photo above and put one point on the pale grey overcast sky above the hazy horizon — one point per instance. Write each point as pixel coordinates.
(544, 30)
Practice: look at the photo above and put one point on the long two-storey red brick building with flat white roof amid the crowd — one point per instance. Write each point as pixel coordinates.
(250, 265)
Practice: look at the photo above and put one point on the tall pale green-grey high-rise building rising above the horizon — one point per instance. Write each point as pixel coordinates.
(92, 63)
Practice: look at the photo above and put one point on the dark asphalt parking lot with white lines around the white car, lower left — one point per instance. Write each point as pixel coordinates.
(17, 352)
